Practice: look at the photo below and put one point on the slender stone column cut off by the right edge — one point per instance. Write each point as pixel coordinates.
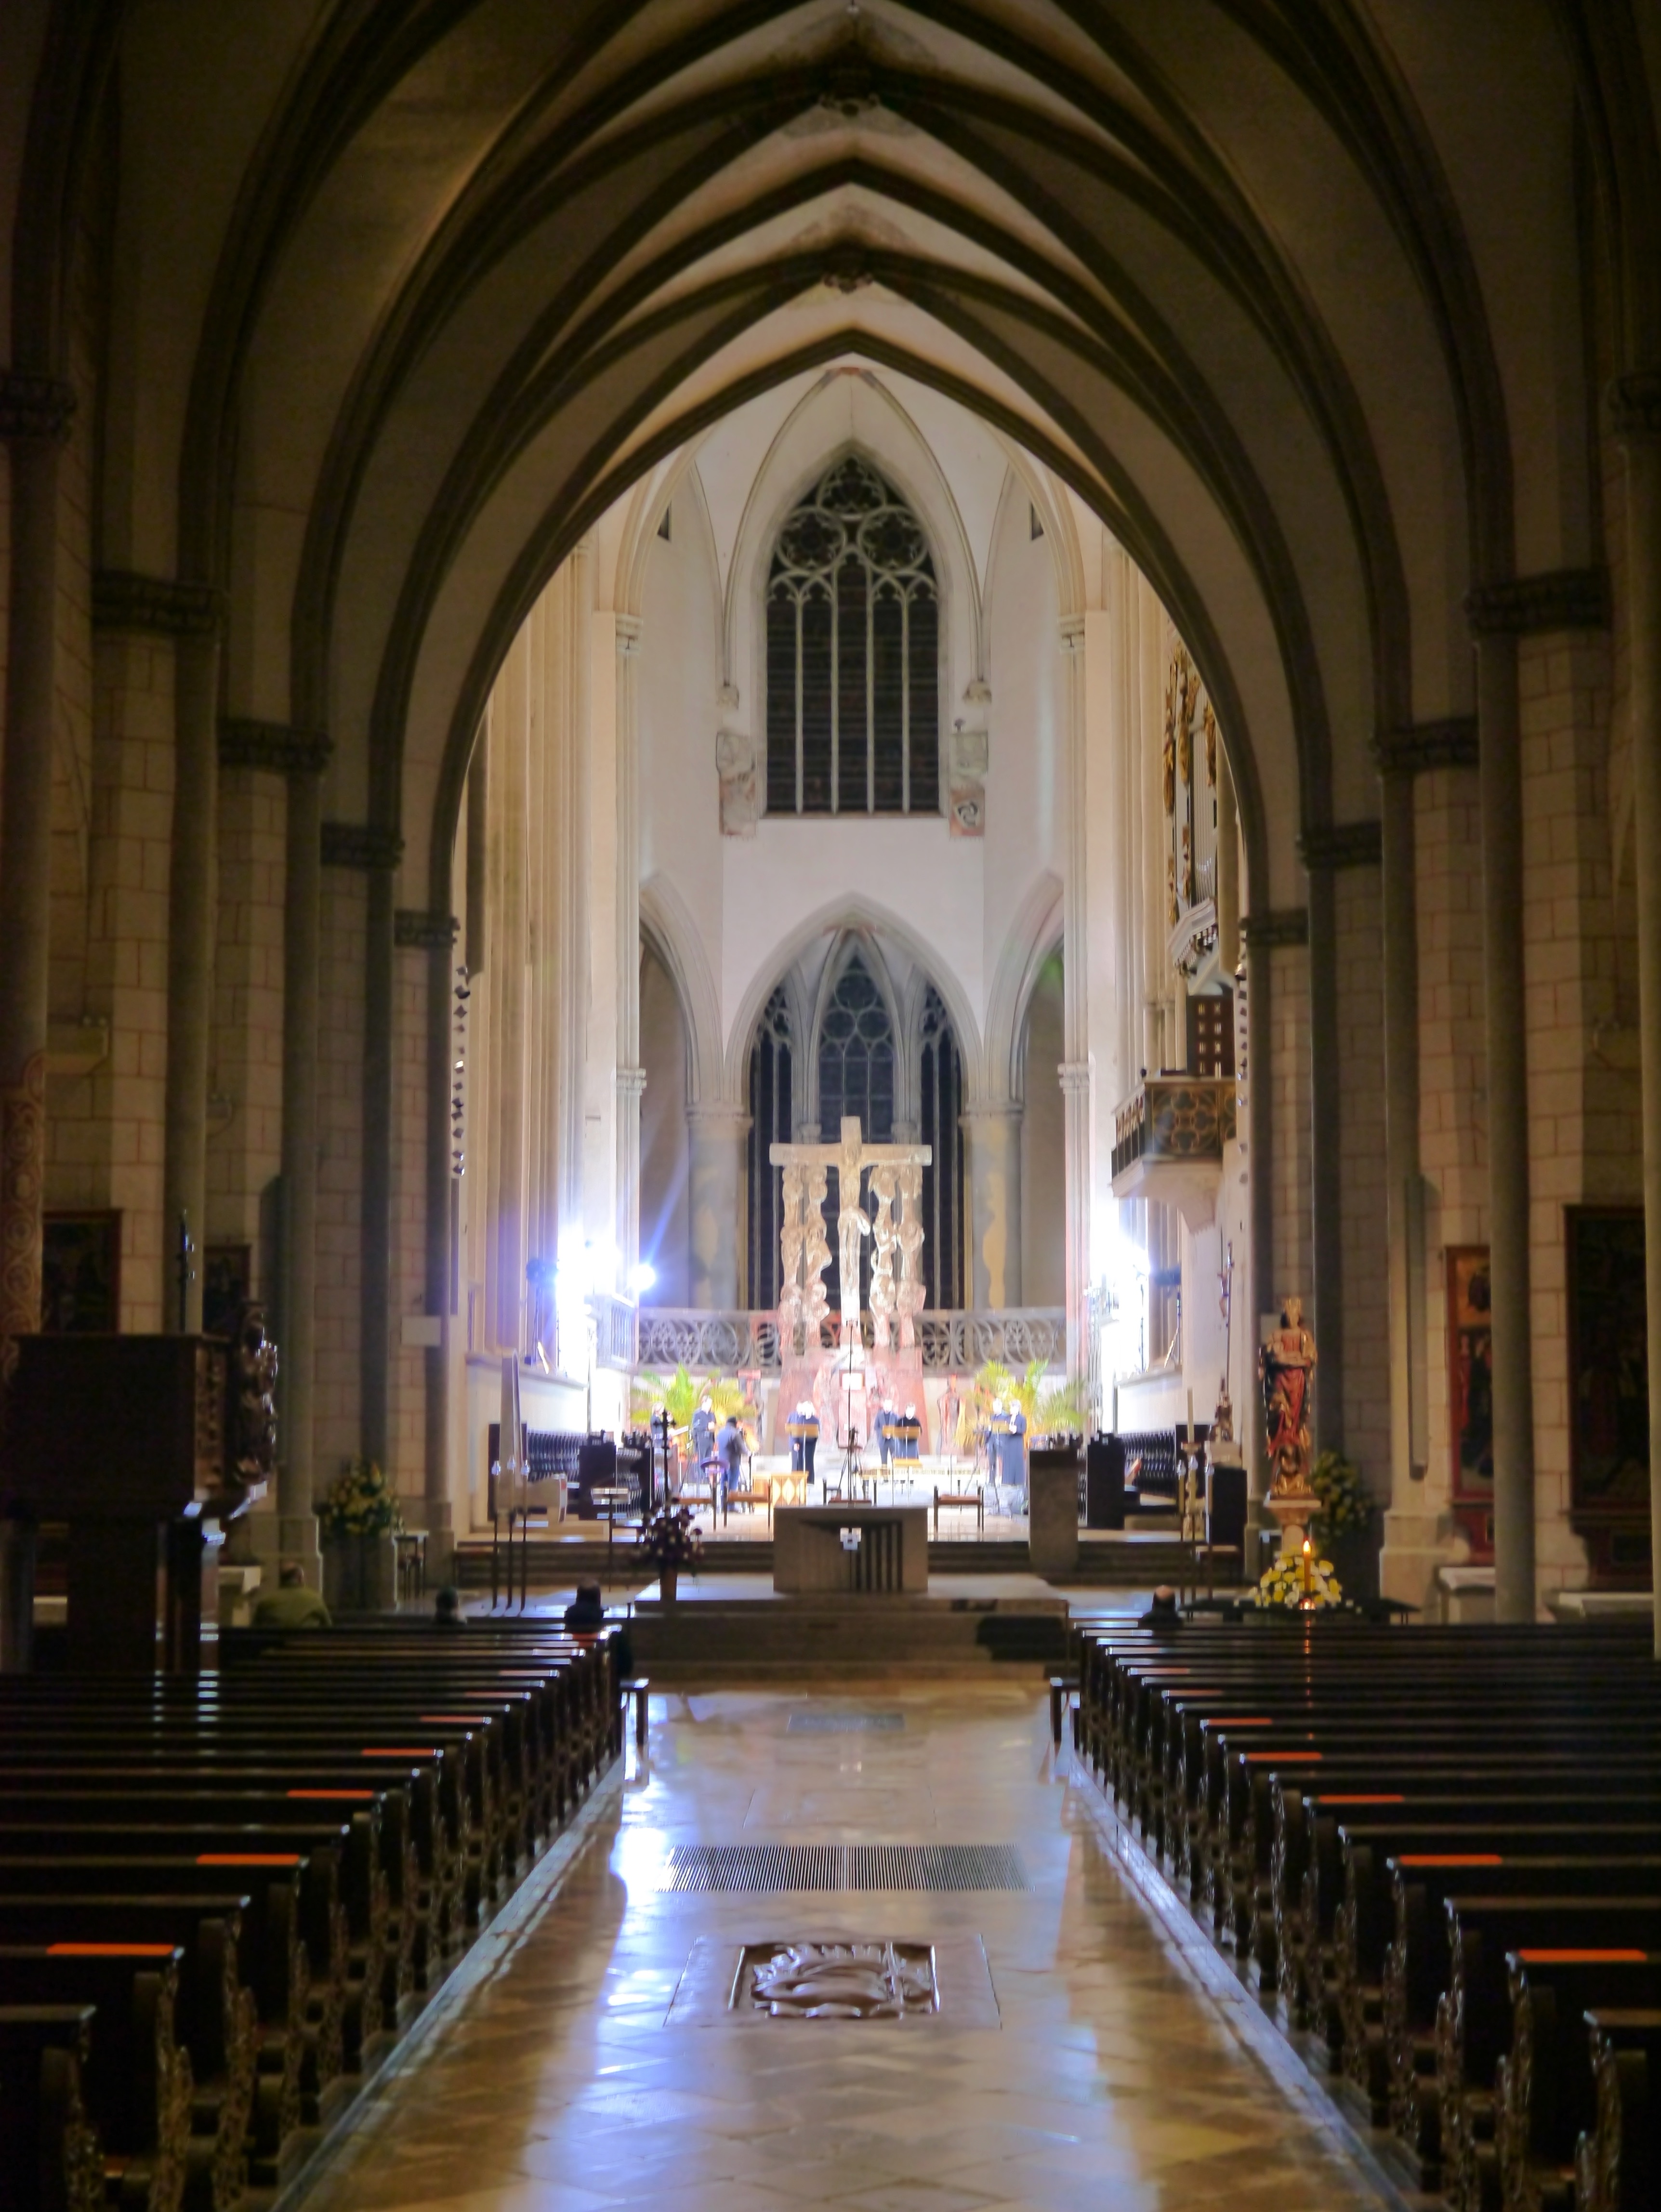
(1638, 426)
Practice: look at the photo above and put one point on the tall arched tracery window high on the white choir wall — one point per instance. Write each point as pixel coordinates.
(853, 654)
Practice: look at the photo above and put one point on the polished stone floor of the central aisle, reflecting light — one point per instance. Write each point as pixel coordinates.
(1127, 2072)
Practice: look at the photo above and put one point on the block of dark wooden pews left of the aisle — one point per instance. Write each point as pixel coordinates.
(224, 1901)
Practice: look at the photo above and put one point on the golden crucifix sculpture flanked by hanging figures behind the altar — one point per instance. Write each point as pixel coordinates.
(804, 1249)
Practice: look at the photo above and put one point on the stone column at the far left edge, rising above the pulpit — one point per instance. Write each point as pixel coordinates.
(34, 421)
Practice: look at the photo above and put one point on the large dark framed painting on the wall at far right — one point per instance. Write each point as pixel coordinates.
(1609, 1390)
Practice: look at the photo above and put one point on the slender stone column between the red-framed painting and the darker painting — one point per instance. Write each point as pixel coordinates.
(1494, 625)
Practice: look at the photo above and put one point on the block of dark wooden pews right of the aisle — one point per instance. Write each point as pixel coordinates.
(1439, 1857)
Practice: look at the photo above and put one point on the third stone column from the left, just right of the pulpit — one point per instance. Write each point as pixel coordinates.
(302, 939)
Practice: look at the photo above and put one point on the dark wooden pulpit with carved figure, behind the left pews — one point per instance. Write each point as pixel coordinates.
(143, 1446)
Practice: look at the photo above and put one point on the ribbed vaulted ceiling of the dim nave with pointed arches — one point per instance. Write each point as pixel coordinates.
(401, 295)
